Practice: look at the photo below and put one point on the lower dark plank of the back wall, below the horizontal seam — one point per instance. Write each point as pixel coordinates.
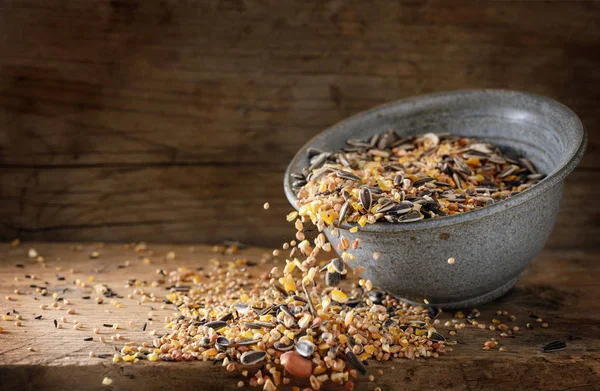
(192, 203)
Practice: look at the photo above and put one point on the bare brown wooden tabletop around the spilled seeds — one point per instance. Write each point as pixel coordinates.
(560, 286)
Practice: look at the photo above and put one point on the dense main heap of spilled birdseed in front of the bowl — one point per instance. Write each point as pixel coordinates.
(279, 325)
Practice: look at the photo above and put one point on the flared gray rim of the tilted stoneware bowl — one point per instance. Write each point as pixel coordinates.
(552, 179)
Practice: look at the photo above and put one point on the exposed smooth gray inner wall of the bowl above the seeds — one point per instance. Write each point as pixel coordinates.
(540, 129)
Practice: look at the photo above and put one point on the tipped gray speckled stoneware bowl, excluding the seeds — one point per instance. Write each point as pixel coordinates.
(493, 245)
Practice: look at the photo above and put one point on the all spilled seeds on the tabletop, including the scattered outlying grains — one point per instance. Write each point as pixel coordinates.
(310, 320)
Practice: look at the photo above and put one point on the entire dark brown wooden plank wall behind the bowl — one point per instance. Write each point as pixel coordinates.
(174, 121)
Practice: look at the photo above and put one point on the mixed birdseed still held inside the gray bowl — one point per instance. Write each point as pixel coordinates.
(406, 179)
